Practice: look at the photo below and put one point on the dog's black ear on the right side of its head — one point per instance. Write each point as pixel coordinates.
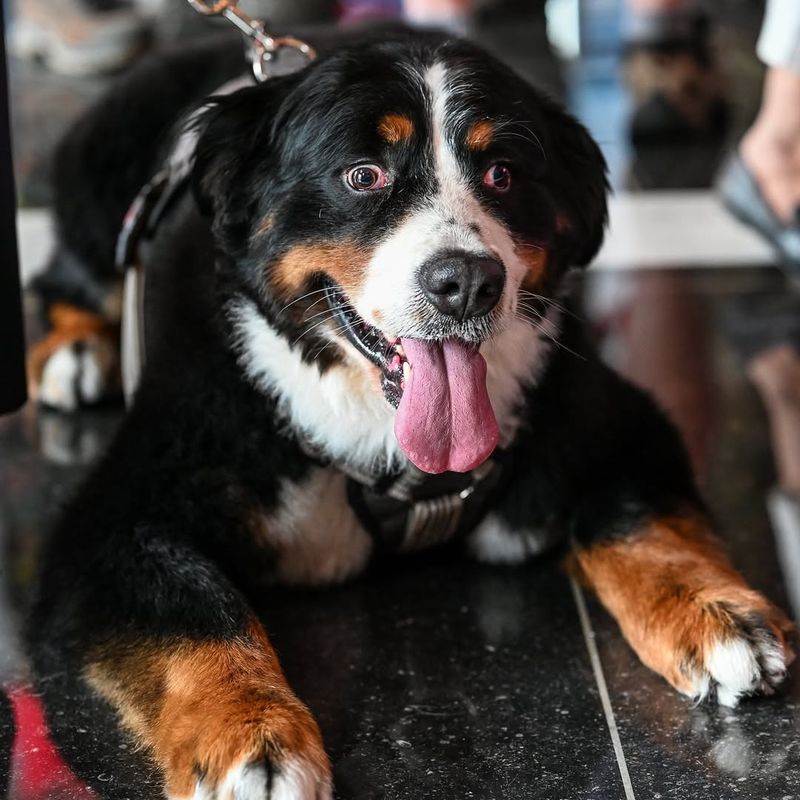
(578, 182)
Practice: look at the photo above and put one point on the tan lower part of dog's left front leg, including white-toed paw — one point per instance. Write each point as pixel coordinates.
(218, 717)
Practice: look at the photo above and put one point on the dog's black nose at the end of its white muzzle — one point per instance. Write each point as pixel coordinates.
(462, 285)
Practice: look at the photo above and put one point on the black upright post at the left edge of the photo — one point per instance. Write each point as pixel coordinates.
(12, 335)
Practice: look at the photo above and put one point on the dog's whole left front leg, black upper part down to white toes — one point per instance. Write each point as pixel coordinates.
(159, 631)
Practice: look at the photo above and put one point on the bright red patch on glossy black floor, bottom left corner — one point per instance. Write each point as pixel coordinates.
(38, 772)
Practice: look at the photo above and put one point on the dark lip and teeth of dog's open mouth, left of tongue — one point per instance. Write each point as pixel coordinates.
(388, 356)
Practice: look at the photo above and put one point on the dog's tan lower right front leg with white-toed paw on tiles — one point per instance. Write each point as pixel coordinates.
(686, 612)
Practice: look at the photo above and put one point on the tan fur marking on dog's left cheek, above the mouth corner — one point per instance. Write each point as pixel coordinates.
(345, 262)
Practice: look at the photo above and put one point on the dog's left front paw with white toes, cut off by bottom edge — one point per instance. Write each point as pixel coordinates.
(249, 748)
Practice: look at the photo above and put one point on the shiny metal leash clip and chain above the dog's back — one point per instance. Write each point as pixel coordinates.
(269, 55)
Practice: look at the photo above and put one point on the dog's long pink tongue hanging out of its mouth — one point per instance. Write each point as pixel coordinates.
(445, 422)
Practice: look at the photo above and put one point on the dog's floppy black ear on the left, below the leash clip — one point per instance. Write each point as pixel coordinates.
(233, 149)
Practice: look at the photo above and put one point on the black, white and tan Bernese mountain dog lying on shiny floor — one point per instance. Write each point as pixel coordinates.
(358, 345)
